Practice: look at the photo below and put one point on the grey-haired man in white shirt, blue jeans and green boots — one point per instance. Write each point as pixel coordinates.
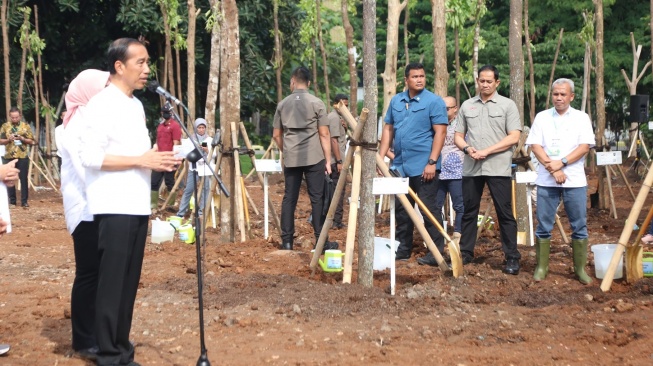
(560, 138)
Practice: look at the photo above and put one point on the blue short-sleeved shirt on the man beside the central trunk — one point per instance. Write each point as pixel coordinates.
(412, 120)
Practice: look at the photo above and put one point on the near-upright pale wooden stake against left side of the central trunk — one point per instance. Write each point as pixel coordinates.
(353, 215)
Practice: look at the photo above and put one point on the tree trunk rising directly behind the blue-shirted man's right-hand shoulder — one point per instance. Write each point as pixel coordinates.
(441, 75)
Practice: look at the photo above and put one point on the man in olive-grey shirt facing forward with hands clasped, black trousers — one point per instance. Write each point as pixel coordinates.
(492, 127)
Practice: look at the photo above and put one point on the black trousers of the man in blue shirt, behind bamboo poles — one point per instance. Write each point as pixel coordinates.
(426, 191)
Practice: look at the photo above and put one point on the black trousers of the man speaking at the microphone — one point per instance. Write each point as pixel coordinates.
(121, 246)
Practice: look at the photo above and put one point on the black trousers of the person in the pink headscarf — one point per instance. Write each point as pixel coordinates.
(82, 299)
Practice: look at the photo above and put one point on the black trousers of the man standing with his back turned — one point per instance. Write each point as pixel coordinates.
(314, 175)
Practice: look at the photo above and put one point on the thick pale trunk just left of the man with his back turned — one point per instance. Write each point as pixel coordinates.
(229, 112)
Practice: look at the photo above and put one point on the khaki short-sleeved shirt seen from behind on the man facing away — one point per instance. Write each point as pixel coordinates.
(299, 115)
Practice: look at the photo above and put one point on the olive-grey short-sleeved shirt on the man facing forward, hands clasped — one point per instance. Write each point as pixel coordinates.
(484, 125)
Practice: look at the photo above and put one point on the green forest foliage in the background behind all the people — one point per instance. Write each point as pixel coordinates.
(63, 37)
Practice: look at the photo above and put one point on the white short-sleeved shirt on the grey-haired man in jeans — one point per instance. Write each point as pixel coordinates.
(559, 135)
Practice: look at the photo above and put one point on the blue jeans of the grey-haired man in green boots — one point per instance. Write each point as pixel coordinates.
(575, 201)
